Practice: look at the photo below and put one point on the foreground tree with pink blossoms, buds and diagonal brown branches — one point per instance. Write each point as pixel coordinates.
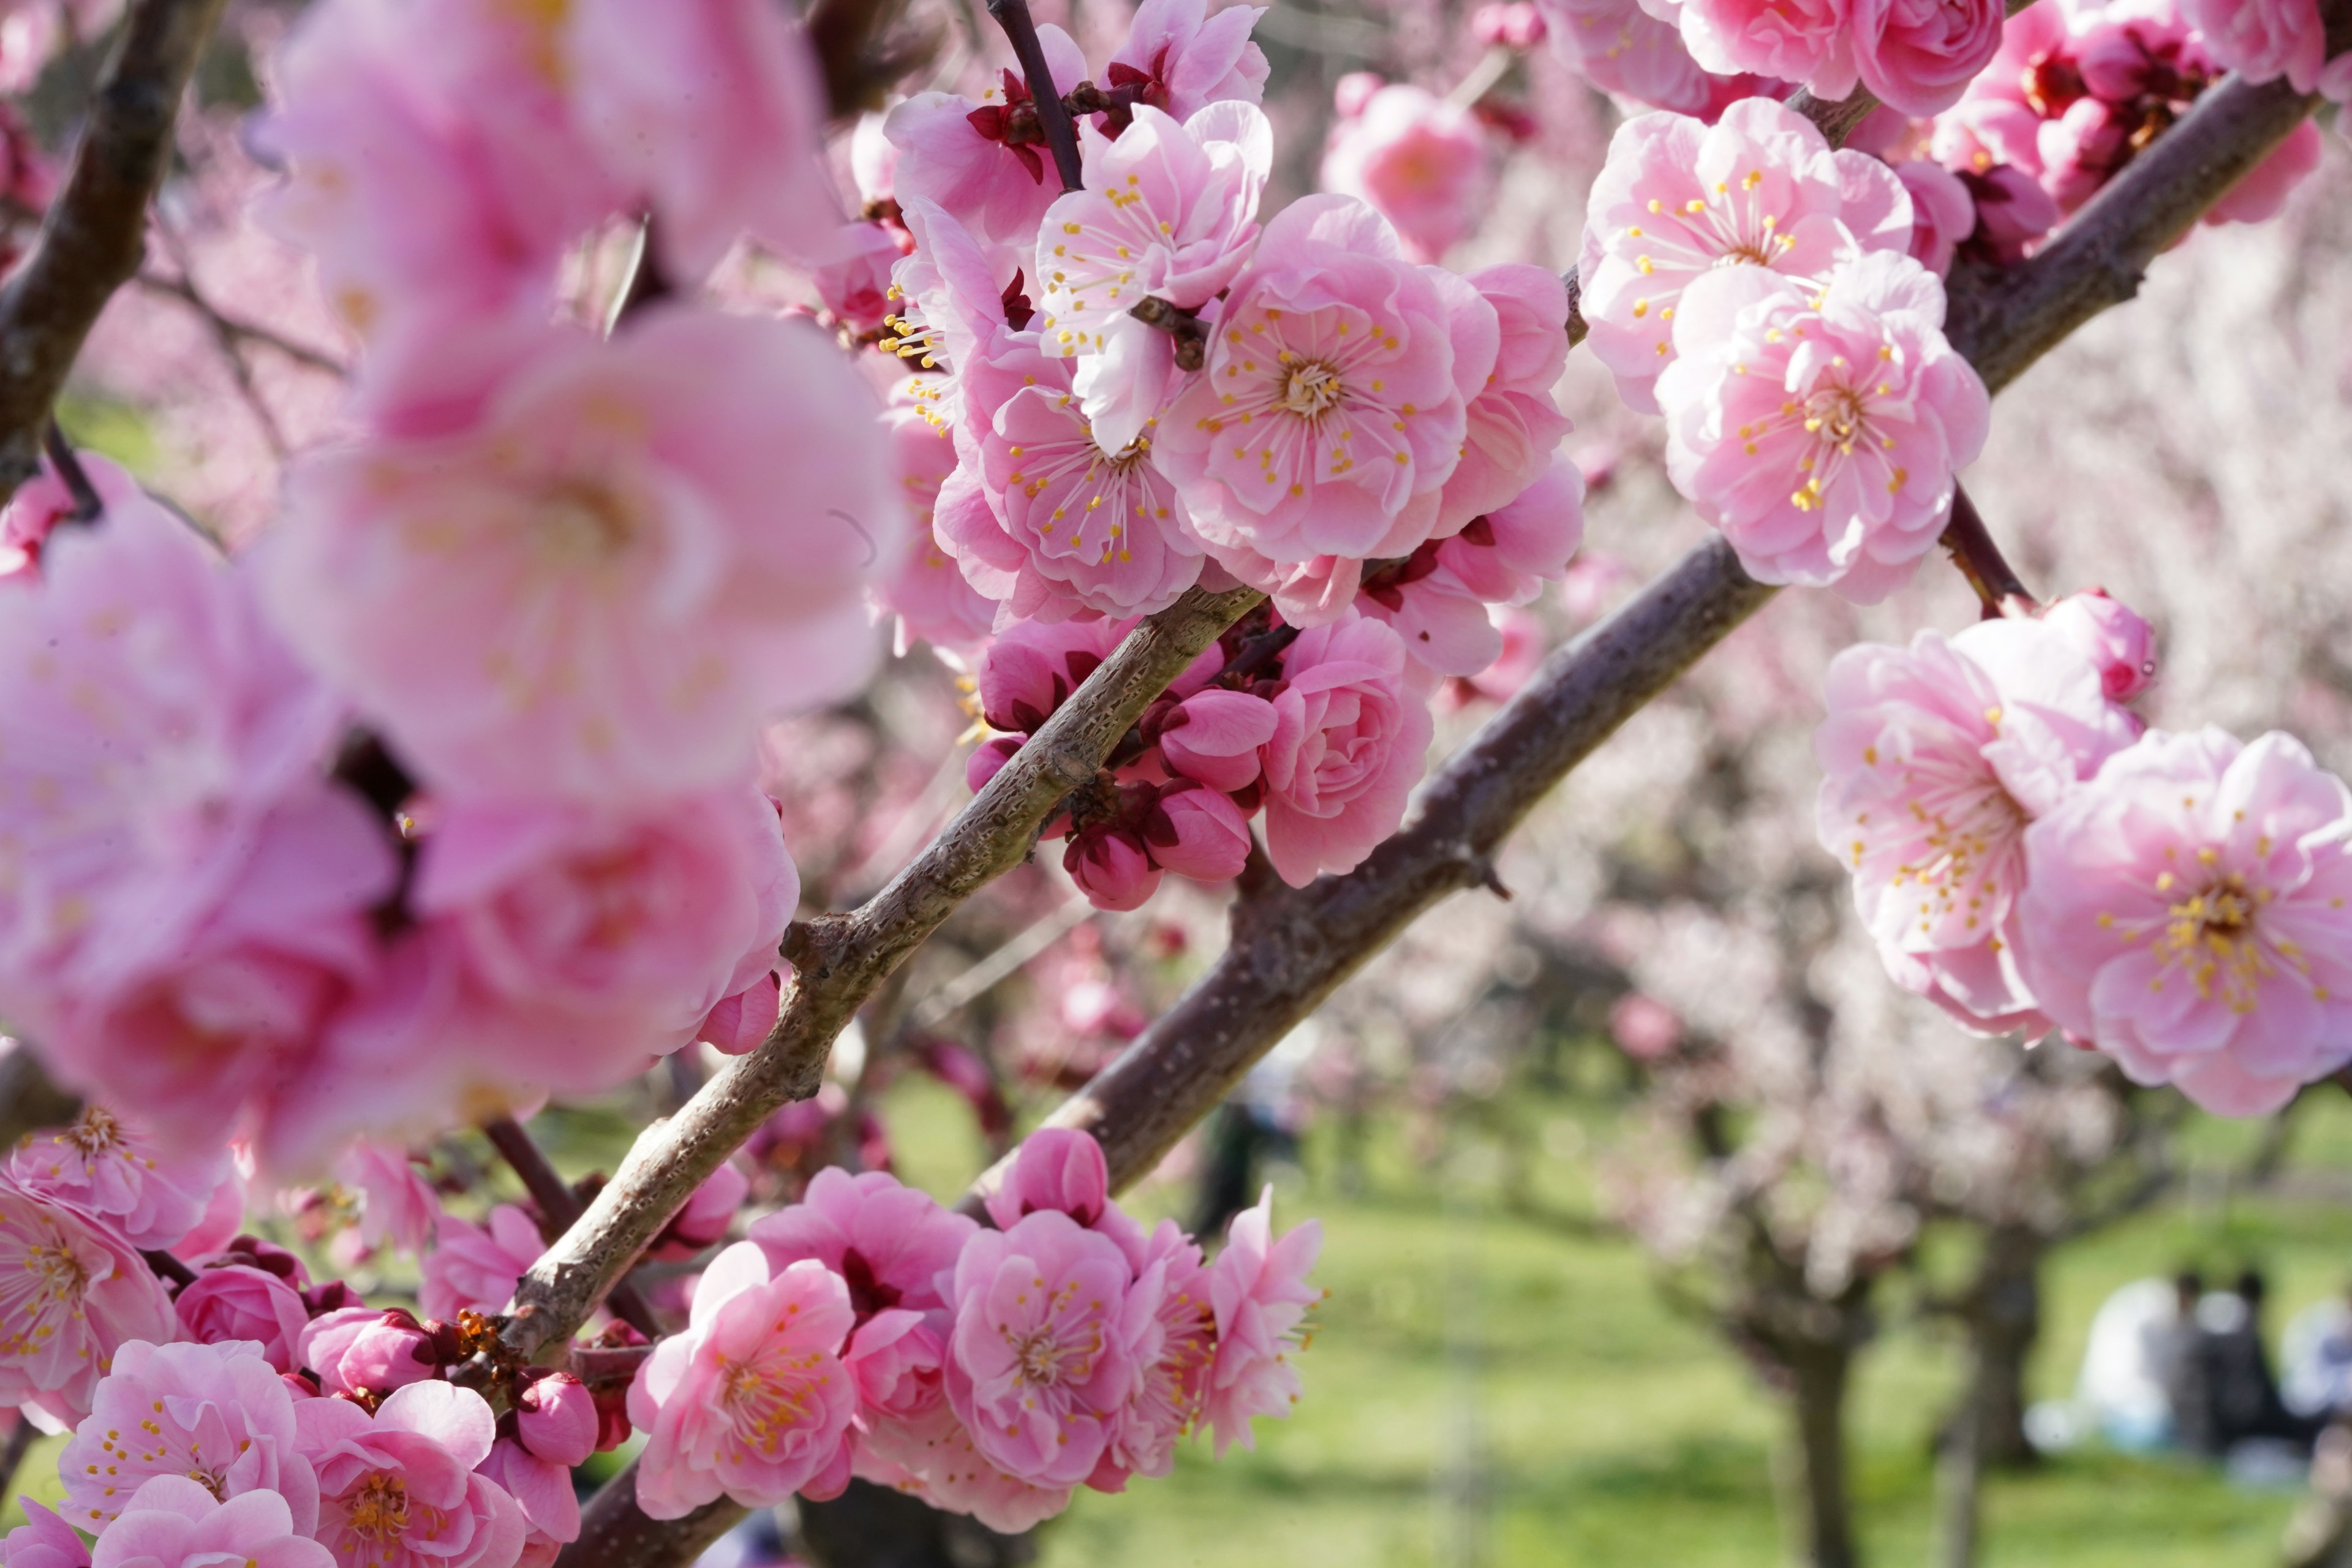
(434, 791)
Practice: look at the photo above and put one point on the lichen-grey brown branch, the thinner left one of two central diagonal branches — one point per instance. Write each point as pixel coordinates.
(843, 958)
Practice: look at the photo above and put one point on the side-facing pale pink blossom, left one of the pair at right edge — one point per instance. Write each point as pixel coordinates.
(1937, 760)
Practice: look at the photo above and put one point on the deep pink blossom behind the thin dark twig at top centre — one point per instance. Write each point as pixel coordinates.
(954, 152)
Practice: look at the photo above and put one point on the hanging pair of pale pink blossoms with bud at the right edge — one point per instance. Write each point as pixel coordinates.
(2031, 857)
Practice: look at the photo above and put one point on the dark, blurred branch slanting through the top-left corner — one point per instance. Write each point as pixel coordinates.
(95, 234)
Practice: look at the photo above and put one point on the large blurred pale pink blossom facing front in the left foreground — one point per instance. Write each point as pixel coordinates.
(646, 462)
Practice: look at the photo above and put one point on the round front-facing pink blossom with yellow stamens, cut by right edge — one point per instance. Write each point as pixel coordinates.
(2186, 913)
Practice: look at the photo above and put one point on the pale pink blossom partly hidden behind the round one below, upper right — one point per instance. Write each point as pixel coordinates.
(1678, 201)
